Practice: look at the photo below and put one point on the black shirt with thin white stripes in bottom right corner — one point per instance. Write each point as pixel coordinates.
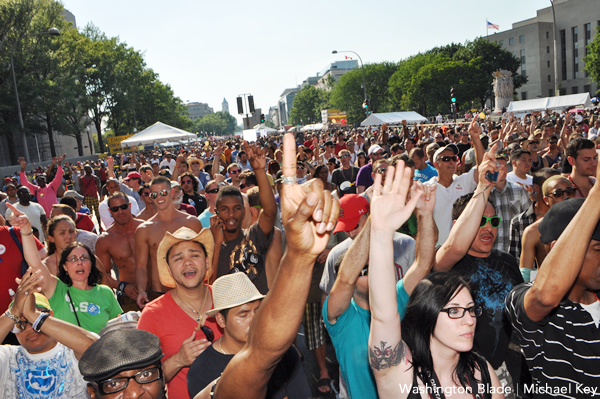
(562, 350)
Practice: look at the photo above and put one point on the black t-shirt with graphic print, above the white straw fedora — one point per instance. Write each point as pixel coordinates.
(247, 254)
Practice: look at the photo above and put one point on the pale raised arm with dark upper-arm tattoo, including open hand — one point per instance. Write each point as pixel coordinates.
(389, 210)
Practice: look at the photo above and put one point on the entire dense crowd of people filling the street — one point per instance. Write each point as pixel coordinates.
(438, 259)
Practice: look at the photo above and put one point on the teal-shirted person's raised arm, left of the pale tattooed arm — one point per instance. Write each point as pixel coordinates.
(353, 262)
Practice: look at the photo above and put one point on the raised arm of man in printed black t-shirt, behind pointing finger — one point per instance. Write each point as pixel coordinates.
(258, 160)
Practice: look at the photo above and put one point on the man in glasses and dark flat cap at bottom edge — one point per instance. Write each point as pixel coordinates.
(125, 363)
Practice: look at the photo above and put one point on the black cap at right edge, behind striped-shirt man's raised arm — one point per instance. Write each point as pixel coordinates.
(558, 218)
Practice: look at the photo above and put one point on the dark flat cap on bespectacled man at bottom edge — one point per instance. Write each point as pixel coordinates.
(119, 350)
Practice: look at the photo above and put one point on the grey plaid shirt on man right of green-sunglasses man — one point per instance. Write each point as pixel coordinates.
(512, 201)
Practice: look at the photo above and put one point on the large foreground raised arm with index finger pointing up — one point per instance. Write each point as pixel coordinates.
(309, 214)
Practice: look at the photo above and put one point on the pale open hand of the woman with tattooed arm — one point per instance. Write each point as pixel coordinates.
(389, 206)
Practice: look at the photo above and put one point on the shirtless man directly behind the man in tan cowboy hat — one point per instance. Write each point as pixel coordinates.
(149, 234)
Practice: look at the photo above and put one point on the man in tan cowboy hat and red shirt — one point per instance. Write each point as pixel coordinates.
(179, 318)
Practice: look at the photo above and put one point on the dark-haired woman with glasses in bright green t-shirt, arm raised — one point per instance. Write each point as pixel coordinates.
(76, 295)
